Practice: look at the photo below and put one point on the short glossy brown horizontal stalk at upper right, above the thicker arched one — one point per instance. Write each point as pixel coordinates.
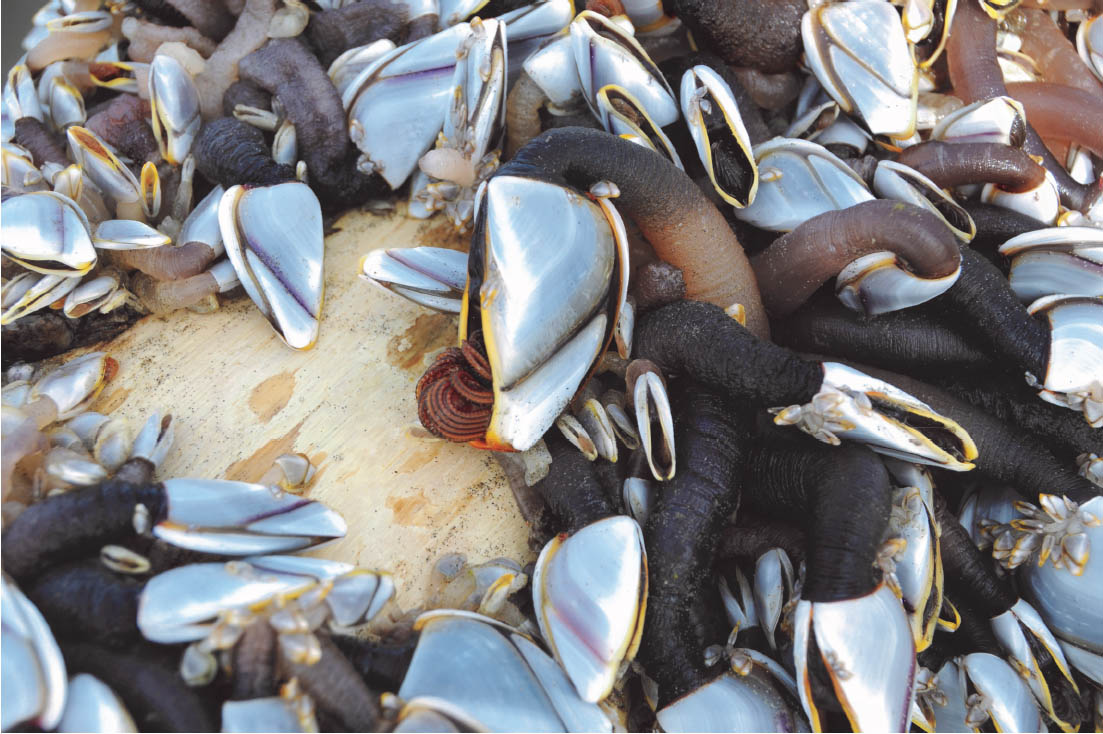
(961, 164)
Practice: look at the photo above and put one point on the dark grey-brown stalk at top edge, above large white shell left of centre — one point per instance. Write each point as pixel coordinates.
(333, 33)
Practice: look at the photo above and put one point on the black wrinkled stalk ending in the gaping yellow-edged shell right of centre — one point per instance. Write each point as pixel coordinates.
(702, 343)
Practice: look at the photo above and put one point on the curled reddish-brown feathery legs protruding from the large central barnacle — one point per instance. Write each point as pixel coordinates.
(455, 395)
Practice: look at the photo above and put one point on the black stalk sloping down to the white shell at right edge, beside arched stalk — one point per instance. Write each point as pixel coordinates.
(983, 306)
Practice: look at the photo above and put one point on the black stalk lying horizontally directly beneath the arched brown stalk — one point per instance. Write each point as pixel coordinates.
(899, 341)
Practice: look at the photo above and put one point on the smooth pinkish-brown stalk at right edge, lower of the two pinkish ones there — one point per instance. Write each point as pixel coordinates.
(1063, 113)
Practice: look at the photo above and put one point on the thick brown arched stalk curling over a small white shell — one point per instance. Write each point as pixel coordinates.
(798, 263)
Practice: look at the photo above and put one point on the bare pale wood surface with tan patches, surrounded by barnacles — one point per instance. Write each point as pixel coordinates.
(241, 398)
